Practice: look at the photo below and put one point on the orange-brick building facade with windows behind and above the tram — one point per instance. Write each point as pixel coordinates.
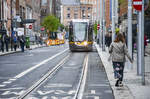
(75, 10)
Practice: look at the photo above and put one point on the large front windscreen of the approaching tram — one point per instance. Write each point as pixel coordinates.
(79, 31)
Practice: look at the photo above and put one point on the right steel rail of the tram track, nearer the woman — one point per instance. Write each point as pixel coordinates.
(82, 81)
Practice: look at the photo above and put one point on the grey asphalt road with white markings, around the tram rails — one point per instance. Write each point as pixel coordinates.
(19, 71)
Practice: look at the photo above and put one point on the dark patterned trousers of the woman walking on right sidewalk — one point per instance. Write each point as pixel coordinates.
(118, 70)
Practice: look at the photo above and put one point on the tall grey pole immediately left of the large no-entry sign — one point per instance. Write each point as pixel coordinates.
(130, 30)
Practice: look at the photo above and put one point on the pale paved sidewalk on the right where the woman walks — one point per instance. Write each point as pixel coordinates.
(133, 88)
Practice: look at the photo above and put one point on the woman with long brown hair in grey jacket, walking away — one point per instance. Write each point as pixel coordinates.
(119, 51)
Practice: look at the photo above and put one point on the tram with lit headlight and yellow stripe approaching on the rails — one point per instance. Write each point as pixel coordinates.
(80, 35)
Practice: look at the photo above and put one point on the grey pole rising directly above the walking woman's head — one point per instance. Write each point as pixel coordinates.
(113, 20)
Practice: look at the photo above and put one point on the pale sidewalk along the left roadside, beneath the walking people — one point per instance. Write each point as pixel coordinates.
(19, 49)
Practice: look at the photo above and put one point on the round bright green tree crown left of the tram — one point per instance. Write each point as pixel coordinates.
(51, 23)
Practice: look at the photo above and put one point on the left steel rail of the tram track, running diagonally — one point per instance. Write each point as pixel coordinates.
(43, 79)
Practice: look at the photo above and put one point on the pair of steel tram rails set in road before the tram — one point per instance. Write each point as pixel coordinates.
(79, 88)
